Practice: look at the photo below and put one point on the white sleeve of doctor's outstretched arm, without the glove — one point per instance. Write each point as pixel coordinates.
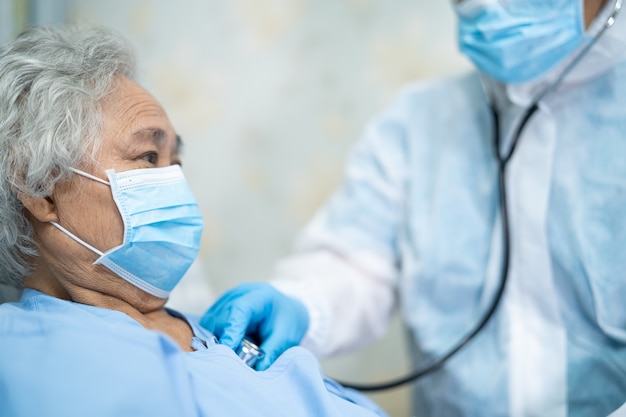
(345, 263)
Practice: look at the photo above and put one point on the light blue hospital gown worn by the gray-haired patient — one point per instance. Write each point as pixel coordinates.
(64, 359)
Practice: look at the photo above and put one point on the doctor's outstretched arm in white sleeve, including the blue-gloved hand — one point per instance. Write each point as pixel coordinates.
(337, 288)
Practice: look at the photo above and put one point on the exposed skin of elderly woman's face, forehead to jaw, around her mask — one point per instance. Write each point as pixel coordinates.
(136, 133)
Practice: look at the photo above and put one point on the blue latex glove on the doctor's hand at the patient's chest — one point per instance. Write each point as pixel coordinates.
(274, 319)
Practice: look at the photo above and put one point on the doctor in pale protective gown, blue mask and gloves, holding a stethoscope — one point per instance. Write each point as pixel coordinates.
(515, 175)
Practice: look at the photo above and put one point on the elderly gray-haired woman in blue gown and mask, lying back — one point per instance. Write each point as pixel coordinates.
(98, 225)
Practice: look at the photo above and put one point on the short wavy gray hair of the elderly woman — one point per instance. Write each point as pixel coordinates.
(52, 81)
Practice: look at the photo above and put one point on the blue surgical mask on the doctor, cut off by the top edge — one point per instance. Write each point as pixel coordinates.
(515, 41)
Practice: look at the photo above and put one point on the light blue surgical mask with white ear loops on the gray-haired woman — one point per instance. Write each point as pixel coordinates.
(162, 227)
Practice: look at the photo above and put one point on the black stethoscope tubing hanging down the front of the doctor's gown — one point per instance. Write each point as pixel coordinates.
(503, 160)
